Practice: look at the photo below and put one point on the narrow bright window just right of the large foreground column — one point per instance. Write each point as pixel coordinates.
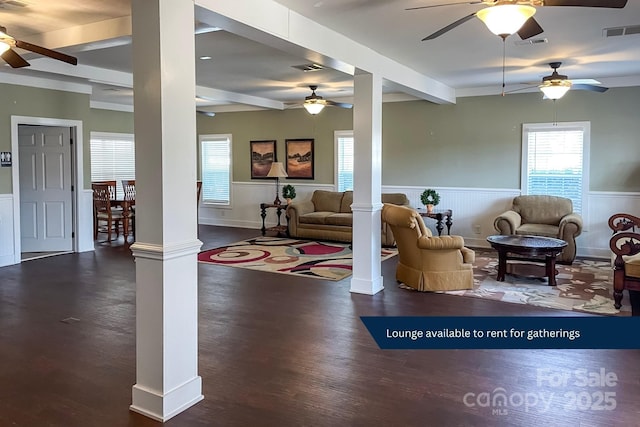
(215, 157)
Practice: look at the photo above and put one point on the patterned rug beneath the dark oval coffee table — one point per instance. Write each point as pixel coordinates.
(585, 286)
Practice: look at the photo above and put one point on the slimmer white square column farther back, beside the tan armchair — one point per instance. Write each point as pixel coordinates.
(367, 131)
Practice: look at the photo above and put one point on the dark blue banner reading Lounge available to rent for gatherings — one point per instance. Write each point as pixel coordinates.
(414, 333)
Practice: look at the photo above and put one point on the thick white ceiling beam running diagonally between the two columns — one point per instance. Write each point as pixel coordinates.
(299, 36)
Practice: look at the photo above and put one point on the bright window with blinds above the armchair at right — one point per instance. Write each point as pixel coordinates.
(555, 160)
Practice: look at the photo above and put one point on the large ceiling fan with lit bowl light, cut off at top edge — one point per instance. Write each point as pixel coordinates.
(505, 17)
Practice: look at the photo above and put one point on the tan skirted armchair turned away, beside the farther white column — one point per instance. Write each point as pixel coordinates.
(427, 262)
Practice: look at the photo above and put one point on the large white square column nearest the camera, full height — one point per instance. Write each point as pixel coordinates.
(167, 380)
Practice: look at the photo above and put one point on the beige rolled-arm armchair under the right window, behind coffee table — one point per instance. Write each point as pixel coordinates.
(547, 216)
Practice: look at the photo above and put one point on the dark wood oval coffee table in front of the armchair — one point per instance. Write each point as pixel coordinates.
(533, 249)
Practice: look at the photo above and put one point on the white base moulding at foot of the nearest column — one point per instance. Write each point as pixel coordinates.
(162, 407)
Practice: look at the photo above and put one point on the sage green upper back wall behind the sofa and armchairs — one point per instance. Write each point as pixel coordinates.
(475, 143)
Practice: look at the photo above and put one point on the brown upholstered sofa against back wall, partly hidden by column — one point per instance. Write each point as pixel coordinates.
(327, 216)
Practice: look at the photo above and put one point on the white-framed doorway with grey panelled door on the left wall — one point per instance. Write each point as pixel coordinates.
(46, 173)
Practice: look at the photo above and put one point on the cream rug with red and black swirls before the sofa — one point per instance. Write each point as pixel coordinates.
(320, 260)
